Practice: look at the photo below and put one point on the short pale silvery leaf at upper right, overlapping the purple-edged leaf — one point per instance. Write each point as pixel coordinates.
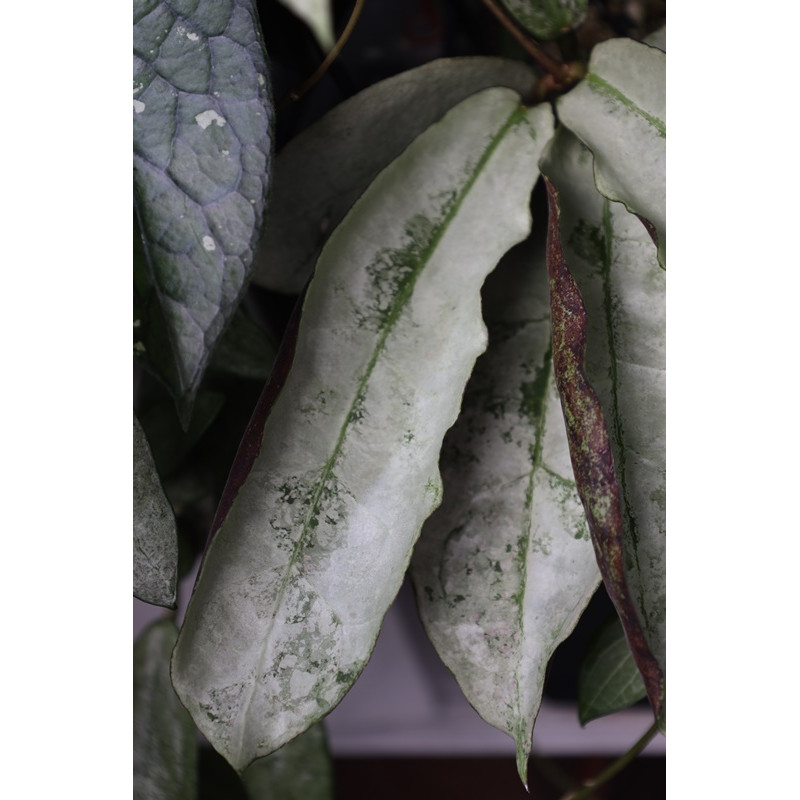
(619, 112)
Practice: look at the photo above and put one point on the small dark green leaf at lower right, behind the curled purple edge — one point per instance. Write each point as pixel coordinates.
(609, 679)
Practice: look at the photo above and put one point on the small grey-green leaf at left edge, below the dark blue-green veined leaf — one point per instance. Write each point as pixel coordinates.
(155, 539)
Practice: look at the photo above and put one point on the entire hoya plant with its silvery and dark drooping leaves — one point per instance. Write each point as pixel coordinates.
(423, 335)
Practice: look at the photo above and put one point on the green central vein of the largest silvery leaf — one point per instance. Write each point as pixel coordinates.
(398, 305)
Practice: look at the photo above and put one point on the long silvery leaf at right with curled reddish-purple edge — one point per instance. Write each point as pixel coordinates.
(608, 301)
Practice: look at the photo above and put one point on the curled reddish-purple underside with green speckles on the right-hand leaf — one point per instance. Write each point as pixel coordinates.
(589, 446)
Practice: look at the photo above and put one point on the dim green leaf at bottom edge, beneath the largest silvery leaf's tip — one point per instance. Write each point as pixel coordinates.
(300, 770)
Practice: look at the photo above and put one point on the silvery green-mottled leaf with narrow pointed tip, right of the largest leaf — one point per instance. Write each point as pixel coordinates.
(505, 566)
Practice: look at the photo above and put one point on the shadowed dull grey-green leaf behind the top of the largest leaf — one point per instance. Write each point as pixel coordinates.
(320, 173)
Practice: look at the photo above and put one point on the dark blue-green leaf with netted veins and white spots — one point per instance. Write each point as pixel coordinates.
(201, 161)
